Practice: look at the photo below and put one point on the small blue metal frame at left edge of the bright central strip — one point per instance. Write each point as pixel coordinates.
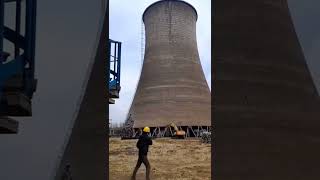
(114, 51)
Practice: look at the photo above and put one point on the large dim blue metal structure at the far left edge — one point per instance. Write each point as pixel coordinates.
(17, 80)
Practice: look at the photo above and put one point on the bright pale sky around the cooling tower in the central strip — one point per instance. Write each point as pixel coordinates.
(125, 26)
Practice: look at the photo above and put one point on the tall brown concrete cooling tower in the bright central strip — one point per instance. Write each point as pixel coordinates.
(172, 86)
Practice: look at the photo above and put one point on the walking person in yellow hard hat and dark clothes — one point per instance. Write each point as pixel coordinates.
(143, 146)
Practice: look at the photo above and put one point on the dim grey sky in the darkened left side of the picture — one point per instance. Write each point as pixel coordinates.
(66, 47)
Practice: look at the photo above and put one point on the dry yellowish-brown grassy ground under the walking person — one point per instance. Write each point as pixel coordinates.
(170, 159)
